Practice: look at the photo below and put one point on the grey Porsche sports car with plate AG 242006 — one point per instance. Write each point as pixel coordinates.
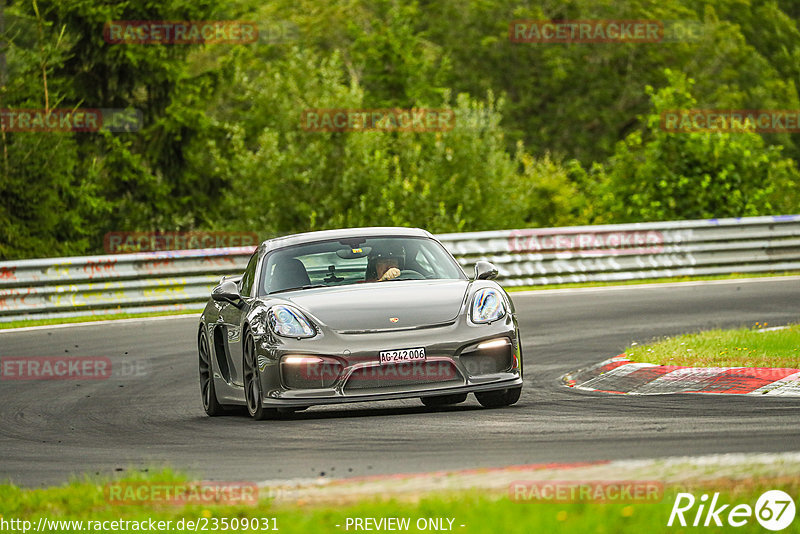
(360, 314)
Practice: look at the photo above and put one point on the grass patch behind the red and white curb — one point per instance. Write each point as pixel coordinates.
(744, 347)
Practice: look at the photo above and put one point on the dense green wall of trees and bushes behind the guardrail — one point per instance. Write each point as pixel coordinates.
(545, 134)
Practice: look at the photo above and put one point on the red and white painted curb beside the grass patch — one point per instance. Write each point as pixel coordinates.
(620, 375)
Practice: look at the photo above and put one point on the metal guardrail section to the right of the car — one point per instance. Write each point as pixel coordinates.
(635, 251)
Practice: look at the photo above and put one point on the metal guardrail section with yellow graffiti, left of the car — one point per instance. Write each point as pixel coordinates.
(122, 283)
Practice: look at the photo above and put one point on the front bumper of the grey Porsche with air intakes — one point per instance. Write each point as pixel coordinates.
(348, 369)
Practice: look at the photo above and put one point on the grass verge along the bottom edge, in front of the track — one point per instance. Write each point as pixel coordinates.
(479, 512)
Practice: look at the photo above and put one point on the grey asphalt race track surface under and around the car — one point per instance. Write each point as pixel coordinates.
(151, 415)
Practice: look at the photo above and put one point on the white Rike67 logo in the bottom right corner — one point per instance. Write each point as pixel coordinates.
(774, 510)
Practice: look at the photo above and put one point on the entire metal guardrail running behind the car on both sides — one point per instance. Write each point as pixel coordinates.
(182, 279)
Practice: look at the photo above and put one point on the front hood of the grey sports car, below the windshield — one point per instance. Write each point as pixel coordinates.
(372, 306)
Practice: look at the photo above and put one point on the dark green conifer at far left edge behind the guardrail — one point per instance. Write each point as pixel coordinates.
(49, 198)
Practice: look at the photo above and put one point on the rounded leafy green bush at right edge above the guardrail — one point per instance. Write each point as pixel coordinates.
(659, 175)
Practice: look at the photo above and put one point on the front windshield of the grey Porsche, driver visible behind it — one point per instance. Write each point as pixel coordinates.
(356, 260)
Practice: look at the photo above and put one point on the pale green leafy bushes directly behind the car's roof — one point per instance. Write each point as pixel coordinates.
(286, 179)
